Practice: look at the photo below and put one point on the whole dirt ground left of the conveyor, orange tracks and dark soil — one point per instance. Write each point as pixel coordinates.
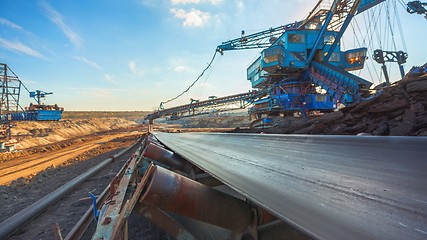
(53, 153)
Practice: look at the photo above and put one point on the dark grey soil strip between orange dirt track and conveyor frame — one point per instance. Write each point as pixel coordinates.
(68, 210)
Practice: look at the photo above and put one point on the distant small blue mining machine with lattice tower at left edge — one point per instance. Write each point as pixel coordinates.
(12, 111)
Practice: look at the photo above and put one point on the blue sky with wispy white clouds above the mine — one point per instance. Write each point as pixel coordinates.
(130, 55)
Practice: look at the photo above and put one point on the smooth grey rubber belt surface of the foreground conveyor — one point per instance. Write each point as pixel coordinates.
(331, 187)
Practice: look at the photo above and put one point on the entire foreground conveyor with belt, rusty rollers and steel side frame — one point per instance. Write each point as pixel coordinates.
(264, 186)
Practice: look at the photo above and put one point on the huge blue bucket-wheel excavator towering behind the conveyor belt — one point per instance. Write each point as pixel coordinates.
(302, 69)
